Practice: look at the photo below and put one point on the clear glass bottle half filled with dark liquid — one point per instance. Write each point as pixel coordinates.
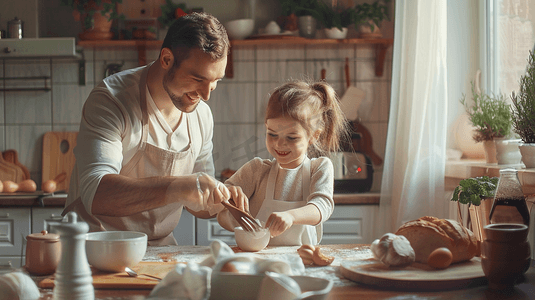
(509, 204)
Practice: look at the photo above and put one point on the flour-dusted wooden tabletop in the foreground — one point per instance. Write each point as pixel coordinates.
(342, 288)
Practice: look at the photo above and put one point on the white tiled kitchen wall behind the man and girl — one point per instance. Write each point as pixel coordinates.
(238, 103)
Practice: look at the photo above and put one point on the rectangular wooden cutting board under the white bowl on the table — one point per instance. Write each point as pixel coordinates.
(104, 280)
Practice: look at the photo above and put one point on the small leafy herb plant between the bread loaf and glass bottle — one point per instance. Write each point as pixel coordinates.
(478, 194)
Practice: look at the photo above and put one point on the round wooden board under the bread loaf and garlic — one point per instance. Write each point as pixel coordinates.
(417, 276)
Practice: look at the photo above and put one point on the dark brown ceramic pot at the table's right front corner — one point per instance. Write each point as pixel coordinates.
(505, 254)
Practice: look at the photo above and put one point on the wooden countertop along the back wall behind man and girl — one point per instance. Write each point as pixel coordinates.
(59, 200)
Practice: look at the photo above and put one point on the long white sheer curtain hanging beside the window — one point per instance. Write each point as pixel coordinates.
(414, 168)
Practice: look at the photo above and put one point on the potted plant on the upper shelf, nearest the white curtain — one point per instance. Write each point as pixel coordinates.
(369, 17)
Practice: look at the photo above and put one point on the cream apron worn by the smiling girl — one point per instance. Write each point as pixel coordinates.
(297, 234)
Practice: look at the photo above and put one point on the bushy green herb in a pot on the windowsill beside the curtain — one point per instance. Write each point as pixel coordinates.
(491, 117)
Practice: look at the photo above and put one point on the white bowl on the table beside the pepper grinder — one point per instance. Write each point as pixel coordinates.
(114, 250)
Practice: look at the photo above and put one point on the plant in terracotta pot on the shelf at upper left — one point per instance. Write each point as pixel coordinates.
(96, 17)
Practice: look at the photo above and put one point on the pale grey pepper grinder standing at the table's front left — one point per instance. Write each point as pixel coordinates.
(73, 279)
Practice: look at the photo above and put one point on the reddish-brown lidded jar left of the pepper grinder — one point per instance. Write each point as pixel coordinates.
(43, 252)
